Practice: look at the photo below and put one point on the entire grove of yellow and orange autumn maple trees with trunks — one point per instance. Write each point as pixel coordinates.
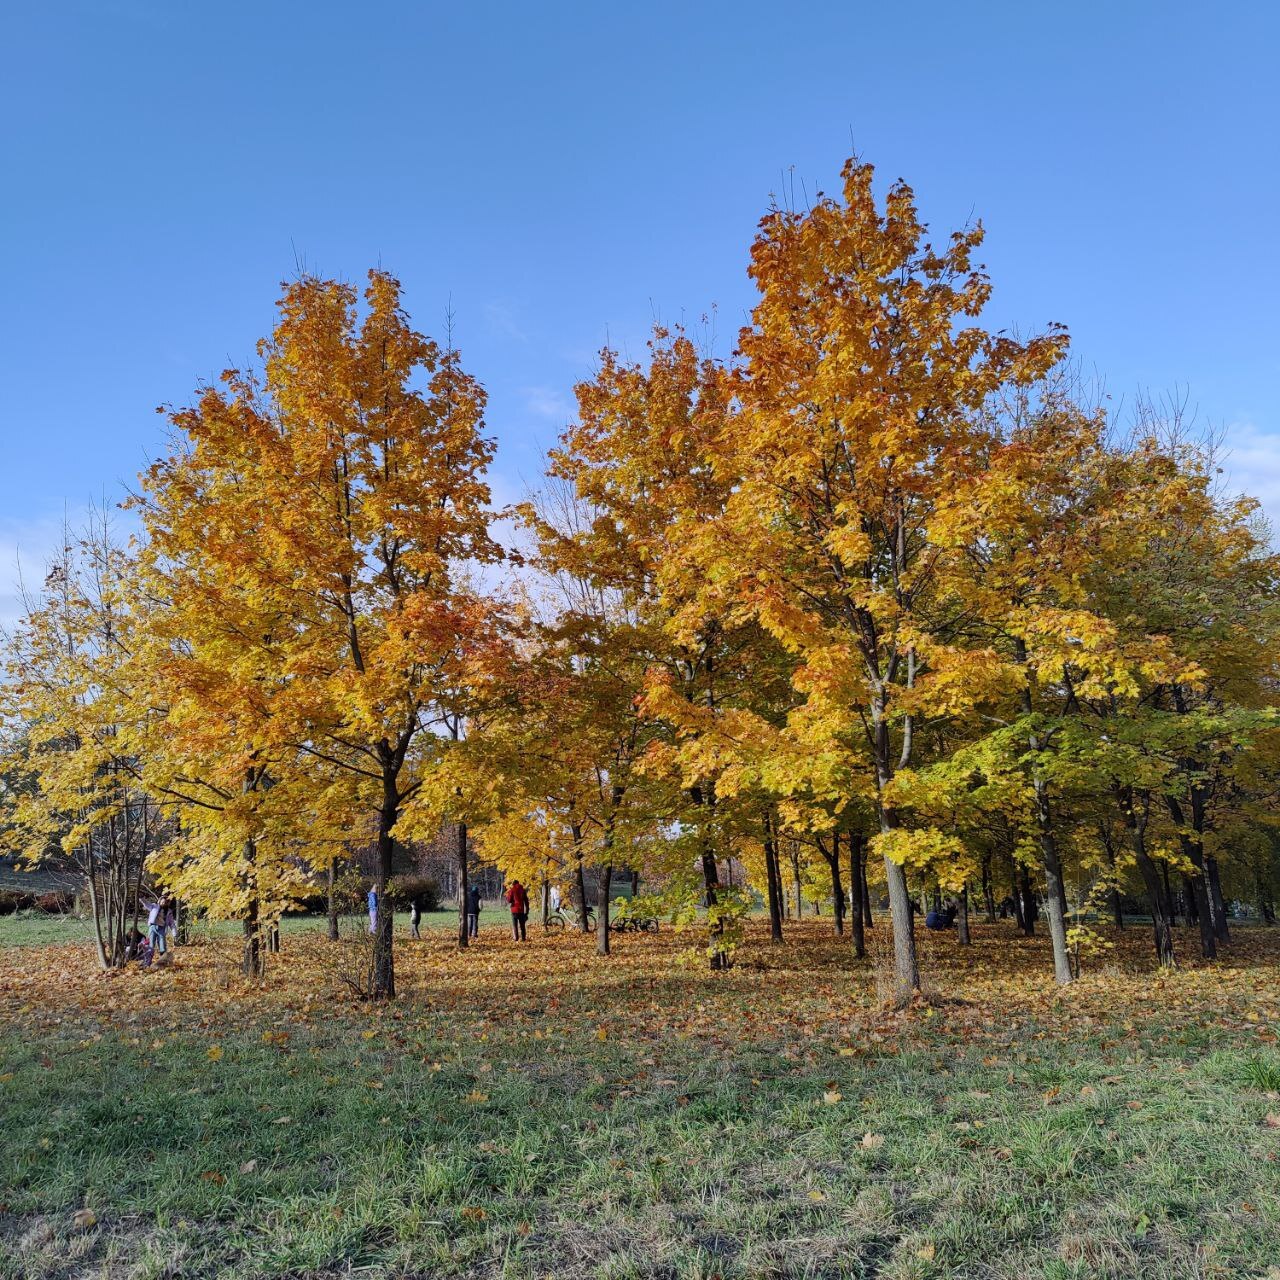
(883, 602)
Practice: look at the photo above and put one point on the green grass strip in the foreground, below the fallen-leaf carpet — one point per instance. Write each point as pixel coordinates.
(560, 1168)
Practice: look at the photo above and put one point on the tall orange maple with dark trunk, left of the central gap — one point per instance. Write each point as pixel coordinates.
(363, 456)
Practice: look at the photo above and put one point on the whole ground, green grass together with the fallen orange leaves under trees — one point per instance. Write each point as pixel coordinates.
(534, 1112)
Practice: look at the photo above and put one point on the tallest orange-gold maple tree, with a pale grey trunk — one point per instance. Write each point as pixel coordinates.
(861, 406)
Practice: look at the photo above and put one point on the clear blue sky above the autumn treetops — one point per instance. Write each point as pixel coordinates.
(563, 175)
